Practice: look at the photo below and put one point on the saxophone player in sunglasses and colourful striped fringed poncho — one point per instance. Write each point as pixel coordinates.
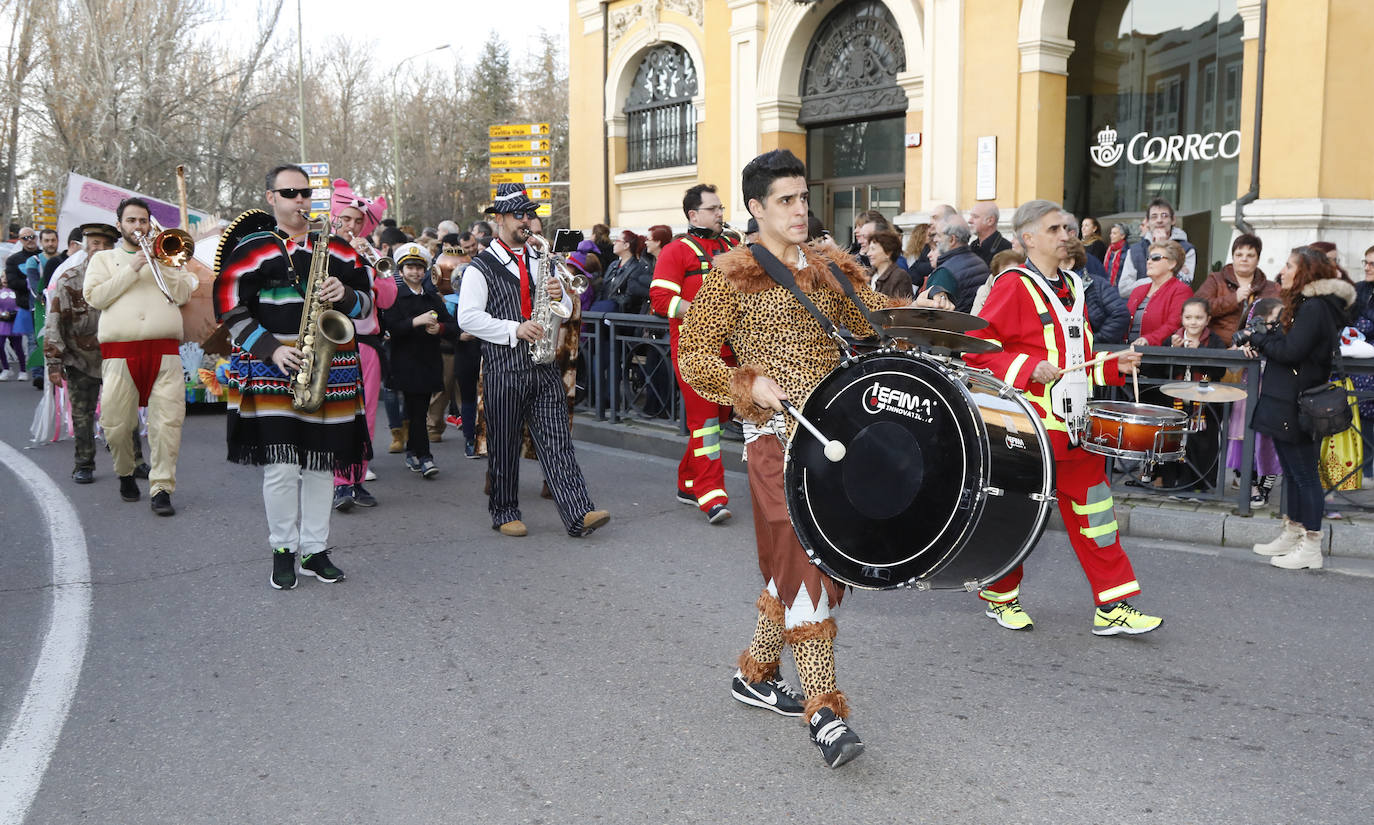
(263, 269)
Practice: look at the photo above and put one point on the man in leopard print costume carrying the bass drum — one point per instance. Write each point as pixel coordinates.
(784, 354)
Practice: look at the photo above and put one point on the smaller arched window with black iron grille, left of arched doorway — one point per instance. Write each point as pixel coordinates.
(662, 119)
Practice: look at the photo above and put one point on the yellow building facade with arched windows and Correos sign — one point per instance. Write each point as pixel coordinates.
(905, 105)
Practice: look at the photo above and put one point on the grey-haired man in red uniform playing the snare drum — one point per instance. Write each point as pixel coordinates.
(1037, 314)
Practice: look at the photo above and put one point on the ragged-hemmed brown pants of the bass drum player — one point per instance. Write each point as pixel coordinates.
(781, 556)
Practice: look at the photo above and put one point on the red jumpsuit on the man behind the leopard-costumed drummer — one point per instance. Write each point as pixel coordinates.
(678, 274)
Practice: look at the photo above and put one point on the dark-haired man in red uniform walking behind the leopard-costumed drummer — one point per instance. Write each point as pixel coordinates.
(682, 265)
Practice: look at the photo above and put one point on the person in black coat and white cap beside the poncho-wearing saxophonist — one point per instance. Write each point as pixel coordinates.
(417, 322)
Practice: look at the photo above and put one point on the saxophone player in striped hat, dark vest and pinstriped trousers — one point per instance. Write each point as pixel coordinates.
(497, 306)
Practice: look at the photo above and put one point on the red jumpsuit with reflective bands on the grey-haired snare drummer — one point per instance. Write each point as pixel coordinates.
(1030, 332)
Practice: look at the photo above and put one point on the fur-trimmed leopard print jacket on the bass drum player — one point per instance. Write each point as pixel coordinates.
(772, 333)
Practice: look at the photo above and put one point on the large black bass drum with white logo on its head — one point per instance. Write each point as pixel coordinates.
(947, 481)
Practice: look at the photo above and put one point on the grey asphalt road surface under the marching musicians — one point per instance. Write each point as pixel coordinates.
(462, 677)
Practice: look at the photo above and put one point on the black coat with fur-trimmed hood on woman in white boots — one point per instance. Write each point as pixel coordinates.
(1302, 358)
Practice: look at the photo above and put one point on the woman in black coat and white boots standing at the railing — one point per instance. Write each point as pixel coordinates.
(1317, 302)
